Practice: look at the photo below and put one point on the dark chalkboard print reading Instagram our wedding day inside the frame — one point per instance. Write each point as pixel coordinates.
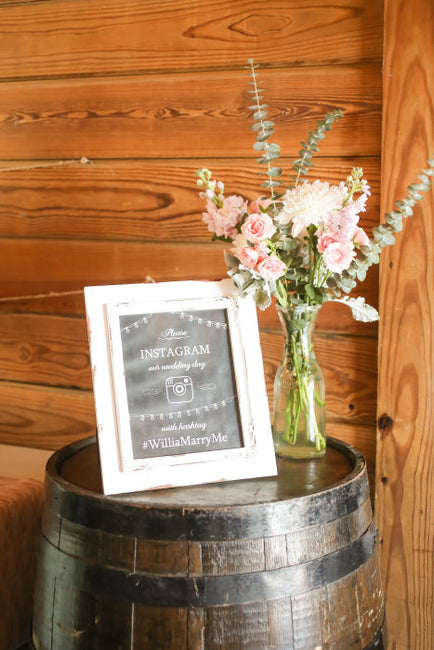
(180, 385)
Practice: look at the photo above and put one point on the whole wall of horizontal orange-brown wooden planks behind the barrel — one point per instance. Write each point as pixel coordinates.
(146, 93)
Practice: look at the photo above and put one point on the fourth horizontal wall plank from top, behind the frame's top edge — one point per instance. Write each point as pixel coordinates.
(31, 269)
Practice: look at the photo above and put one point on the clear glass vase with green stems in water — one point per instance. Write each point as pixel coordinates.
(299, 390)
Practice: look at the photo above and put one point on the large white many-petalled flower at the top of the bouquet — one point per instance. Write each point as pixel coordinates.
(309, 204)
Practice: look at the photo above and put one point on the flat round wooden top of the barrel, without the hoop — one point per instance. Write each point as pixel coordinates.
(78, 465)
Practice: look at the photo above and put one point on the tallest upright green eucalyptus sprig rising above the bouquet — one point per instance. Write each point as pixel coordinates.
(264, 129)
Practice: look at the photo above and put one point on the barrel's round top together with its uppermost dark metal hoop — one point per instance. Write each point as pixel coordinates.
(304, 493)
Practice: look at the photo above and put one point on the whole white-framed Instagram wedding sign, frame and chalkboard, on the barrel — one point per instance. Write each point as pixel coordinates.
(179, 386)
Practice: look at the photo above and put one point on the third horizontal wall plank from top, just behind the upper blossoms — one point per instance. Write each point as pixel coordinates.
(143, 200)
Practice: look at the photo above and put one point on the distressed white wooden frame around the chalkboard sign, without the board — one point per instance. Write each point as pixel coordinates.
(120, 471)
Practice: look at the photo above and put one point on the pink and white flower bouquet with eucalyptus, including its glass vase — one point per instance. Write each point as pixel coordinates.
(304, 246)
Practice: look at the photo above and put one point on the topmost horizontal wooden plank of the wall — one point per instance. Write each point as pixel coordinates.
(84, 37)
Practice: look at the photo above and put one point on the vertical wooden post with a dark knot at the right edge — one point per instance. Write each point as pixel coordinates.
(405, 467)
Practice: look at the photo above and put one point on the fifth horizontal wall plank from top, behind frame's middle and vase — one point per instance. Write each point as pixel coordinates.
(53, 350)
